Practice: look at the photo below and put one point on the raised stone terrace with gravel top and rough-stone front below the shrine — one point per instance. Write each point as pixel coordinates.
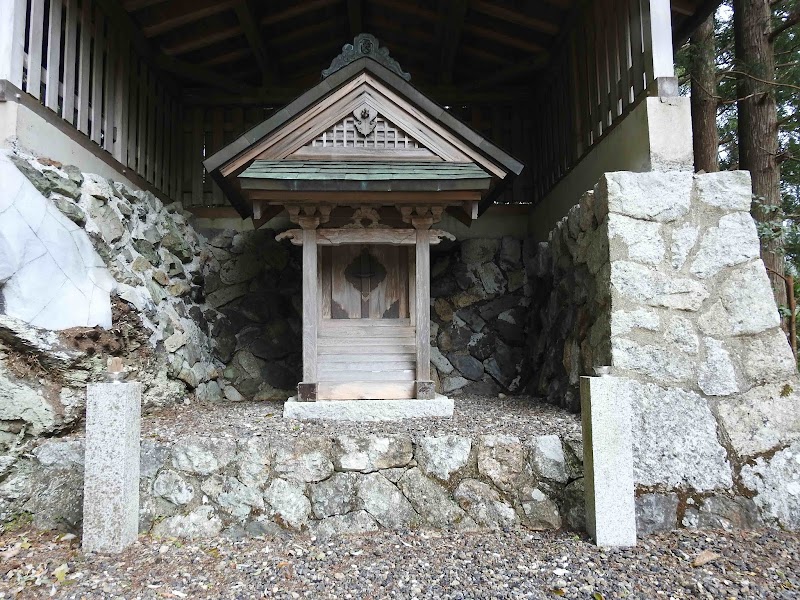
(241, 470)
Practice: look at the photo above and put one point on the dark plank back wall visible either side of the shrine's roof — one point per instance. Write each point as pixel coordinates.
(207, 129)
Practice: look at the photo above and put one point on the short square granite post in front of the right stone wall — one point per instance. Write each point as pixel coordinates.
(608, 462)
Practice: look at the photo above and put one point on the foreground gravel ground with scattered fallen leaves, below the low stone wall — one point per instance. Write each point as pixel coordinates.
(420, 564)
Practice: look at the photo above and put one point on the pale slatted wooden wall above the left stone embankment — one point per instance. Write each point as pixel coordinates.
(85, 71)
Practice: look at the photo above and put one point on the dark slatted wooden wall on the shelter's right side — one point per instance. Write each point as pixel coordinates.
(605, 67)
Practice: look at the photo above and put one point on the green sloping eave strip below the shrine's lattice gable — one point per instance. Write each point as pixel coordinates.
(318, 175)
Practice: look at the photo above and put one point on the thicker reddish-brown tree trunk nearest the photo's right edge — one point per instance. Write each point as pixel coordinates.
(758, 122)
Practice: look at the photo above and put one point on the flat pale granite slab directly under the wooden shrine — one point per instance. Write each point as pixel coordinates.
(368, 410)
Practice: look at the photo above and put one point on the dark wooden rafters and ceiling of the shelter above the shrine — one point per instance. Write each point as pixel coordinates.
(242, 51)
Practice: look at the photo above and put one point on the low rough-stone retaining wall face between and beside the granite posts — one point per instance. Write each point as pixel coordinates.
(203, 486)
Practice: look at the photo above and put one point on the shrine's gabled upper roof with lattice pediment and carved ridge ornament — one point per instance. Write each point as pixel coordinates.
(364, 95)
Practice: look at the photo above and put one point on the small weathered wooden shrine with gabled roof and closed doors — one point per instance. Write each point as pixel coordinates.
(365, 165)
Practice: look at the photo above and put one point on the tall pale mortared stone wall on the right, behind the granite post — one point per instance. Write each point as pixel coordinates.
(659, 275)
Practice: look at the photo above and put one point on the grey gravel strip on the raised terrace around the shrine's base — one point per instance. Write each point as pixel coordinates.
(522, 416)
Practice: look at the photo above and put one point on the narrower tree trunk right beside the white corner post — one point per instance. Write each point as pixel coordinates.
(705, 138)
